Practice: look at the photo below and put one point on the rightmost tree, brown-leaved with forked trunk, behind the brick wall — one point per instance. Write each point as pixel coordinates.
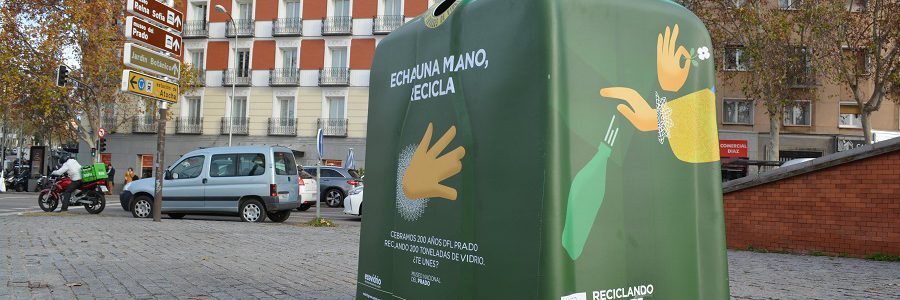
(861, 43)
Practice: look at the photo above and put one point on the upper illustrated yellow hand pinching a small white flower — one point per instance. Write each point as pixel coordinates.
(670, 71)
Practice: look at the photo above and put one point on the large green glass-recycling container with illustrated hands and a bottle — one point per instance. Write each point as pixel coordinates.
(544, 150)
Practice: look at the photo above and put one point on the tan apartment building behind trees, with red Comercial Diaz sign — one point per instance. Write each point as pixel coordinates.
(826, 122)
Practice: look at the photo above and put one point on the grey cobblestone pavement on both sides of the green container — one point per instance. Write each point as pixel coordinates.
(82, 256)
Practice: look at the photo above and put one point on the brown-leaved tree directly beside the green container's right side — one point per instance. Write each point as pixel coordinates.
(774, 41)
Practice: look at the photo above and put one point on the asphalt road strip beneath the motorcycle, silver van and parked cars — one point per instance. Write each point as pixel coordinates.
(13, 203)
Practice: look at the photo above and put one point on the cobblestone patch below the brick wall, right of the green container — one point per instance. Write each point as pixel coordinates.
(784, 276)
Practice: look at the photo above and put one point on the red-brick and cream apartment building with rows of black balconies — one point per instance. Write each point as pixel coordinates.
(272, 72)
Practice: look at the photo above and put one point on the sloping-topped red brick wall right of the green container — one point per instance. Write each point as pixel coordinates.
(852, 208)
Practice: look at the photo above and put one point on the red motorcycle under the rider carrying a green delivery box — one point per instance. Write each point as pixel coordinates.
(91, 195)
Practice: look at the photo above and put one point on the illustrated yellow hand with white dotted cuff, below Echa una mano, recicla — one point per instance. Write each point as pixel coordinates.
(426, 170)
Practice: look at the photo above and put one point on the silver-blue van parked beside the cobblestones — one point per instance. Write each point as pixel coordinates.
(253, 182)
